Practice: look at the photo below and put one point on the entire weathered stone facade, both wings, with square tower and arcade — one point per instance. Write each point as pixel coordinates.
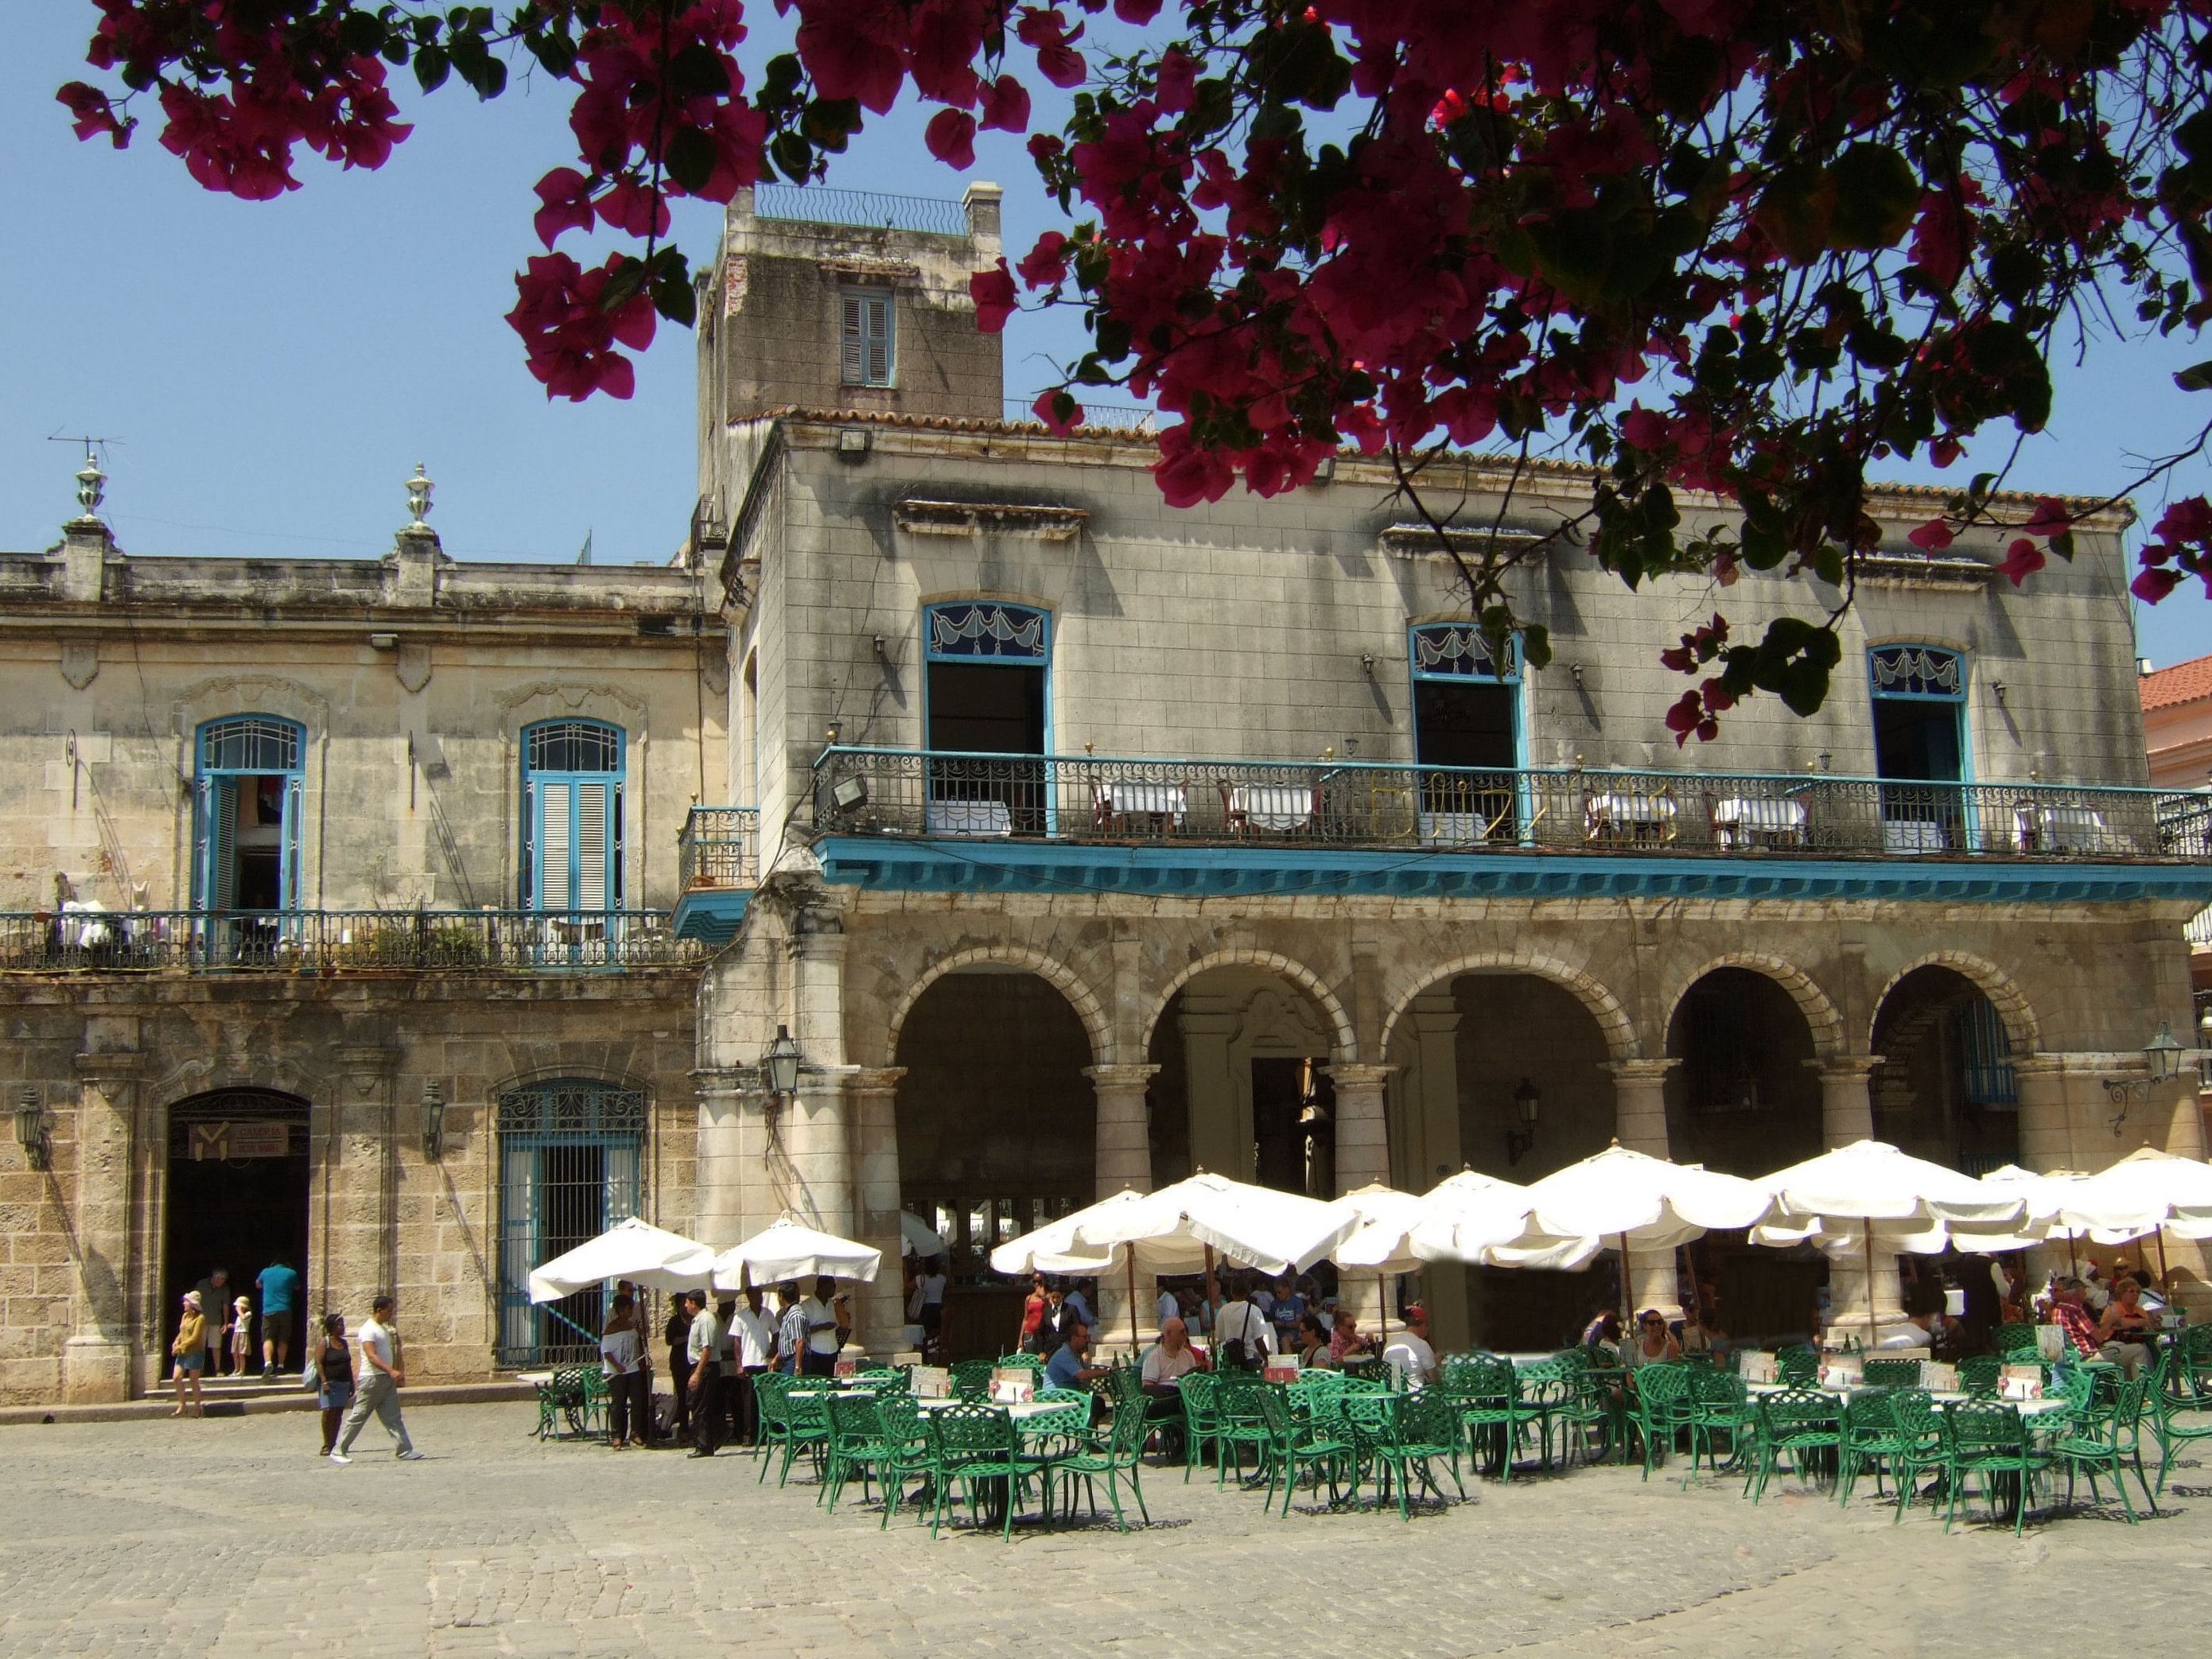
(1076, 842)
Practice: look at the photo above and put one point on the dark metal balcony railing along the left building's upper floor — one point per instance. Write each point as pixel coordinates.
(340, 941)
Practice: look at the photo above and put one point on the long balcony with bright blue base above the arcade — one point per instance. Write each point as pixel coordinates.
(946, 822)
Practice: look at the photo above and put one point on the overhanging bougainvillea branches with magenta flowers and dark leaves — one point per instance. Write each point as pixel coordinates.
(1724, 251)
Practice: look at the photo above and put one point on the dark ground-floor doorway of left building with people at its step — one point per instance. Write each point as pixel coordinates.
(238, 1198)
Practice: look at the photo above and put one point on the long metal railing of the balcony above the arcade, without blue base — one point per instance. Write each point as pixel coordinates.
(1616, 811)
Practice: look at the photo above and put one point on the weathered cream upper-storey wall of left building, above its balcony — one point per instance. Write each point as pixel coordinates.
(413, 693)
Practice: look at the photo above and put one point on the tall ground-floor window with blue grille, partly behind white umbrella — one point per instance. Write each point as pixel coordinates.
(570, 1169)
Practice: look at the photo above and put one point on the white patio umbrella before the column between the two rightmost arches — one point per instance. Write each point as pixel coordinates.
(1870, 1185)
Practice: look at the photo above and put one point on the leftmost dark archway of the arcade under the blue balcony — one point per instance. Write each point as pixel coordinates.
(997, 1127)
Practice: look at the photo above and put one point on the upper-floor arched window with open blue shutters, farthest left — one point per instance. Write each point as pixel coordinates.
(247, 813)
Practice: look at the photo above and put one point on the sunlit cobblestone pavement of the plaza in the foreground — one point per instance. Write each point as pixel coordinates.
(231, 1536)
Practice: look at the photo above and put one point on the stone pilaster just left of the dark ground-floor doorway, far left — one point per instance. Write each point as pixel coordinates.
(98, 1361)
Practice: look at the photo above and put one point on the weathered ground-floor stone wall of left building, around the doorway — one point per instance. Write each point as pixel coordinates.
(81, 1280)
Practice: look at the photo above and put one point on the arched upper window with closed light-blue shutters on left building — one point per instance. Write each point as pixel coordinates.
(572, 817)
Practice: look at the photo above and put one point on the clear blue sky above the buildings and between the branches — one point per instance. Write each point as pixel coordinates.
(275, 371)
